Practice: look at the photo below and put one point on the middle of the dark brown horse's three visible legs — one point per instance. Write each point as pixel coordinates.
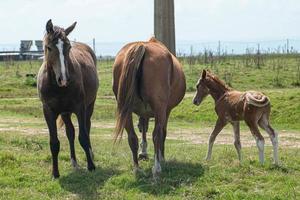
(70, 132)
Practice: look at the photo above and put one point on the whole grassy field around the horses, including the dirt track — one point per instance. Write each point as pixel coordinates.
(25, 160)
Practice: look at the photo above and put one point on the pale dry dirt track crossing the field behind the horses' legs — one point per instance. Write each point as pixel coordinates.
(200, 135)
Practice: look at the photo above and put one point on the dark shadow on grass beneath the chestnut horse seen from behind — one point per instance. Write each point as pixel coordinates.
(175, 174)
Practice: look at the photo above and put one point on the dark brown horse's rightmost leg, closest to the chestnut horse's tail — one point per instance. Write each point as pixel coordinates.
(84, 137)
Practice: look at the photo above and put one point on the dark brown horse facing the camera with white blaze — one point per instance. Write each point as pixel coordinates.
(67, 83)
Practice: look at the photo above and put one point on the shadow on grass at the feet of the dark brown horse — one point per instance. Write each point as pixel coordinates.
(84, 183)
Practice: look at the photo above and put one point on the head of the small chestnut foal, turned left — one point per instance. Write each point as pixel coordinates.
(202, 90)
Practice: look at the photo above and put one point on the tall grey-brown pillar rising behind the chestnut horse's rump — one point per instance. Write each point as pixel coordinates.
(164, 23)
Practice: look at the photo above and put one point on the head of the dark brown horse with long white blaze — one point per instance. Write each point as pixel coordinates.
(56, 54)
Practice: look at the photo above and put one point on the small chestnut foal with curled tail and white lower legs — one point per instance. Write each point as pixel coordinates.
(233, 106)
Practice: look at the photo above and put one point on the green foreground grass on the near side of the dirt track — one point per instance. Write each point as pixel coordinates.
(25, 172)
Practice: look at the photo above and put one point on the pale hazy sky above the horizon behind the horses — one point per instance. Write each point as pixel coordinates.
(112, 21)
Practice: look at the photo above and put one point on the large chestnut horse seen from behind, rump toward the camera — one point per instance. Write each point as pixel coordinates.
(148, 81)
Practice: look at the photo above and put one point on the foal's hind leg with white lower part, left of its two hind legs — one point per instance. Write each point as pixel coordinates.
(260, 141)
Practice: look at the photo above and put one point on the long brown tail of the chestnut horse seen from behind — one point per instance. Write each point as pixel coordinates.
(127, 86)
